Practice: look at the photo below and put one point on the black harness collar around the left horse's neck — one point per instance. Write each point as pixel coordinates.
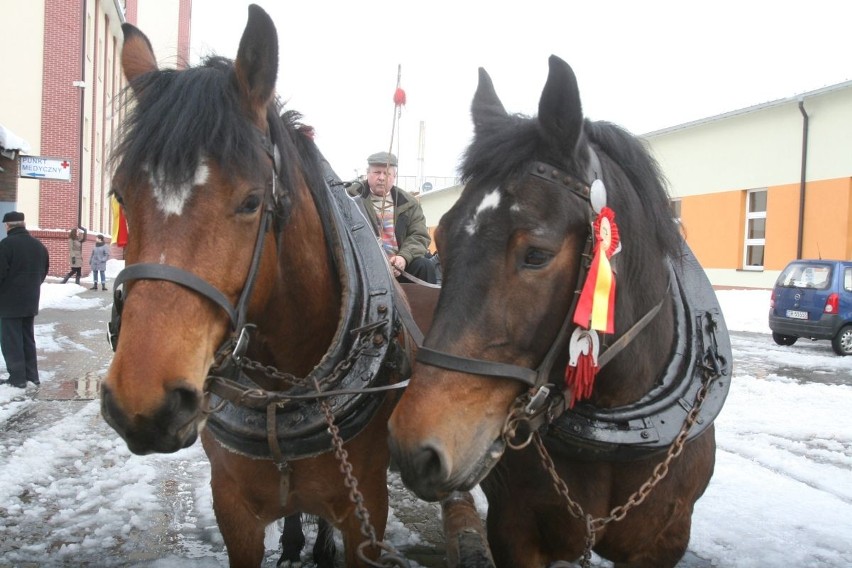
(353, 372)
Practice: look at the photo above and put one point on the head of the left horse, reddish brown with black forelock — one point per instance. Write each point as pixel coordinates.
(196, 177)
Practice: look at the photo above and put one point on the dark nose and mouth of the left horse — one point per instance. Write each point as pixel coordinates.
(172, 427)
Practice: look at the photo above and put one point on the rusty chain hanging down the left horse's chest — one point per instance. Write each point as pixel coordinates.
(392, 558)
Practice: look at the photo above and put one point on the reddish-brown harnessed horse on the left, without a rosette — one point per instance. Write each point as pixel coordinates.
(242, 258)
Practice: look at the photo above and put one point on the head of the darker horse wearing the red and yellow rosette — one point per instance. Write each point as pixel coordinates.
(511, 250)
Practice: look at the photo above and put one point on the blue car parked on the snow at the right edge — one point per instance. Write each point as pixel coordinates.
(813, 299)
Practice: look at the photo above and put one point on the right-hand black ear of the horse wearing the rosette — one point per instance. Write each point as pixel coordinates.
(560, 114)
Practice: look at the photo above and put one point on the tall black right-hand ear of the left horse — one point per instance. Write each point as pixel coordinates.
(256, 66)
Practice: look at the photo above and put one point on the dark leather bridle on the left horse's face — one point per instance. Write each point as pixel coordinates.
(237, 341)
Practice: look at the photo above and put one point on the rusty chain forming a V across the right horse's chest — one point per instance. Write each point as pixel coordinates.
(593, 525)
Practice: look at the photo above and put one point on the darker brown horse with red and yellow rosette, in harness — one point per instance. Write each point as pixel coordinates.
(614, 457)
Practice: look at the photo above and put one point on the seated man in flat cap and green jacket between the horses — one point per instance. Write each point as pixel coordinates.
(400, 220)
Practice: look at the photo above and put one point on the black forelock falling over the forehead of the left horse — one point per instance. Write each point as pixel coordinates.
(179, 116)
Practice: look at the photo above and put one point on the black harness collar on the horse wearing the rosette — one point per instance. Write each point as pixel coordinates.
(702, 354)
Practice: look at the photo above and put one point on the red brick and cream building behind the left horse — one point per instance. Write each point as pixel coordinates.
(61, 96)
